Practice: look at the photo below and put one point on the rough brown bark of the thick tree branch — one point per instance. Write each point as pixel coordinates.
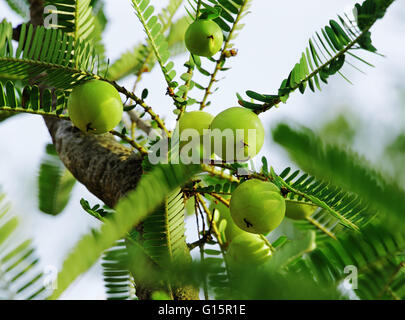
(107, 168)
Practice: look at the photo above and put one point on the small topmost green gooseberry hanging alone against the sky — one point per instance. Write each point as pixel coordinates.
(204, 38)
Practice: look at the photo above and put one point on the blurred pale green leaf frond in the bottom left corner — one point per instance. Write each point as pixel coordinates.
(19, 274)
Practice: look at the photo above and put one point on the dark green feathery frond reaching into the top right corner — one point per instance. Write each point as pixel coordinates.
(326, 54)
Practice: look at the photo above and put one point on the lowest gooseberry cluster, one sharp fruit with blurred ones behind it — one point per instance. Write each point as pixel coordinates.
(256, 208)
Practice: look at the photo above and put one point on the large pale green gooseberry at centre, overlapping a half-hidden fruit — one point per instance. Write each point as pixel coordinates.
(237, 134)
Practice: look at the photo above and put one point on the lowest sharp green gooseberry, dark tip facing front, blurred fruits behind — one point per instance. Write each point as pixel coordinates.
(257, 207)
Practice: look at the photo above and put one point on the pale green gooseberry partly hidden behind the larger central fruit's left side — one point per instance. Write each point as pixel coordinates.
(198, 121)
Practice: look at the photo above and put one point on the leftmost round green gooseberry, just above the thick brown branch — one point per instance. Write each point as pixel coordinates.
(95, 107)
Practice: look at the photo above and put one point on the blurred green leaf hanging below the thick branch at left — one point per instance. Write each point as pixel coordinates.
(55, 183)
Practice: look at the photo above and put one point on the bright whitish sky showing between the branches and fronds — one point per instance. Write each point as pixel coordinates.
(275, 35)
